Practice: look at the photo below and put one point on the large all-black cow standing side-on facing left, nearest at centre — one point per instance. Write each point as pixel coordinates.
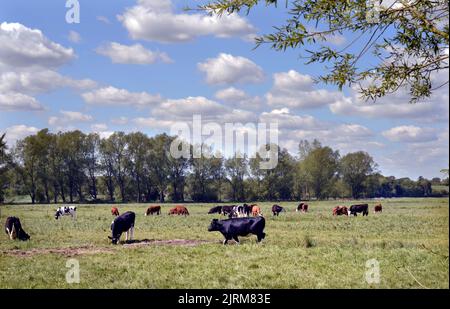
(232, 228)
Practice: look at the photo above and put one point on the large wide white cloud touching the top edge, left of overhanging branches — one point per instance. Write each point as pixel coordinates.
(155, 20)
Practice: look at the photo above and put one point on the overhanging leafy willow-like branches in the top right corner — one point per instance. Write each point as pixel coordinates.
(410, 40)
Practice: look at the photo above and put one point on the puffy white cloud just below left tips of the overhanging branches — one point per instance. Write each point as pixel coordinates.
(296, 91)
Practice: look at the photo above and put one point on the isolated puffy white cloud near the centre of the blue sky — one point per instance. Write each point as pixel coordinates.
(228, 69)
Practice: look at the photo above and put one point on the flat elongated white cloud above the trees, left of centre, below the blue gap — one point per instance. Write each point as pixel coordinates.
(120, 97)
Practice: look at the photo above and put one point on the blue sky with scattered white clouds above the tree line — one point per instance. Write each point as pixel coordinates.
(143, 65)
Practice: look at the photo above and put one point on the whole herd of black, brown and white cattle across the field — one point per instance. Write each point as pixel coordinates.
(242, 219)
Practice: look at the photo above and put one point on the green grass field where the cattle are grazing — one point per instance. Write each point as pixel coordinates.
(314, 250)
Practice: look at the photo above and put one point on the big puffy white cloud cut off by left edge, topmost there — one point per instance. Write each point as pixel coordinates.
(22, 47)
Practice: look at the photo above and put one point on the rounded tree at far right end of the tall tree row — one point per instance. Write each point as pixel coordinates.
(355, 168)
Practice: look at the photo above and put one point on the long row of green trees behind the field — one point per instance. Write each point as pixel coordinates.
(77, 167)
